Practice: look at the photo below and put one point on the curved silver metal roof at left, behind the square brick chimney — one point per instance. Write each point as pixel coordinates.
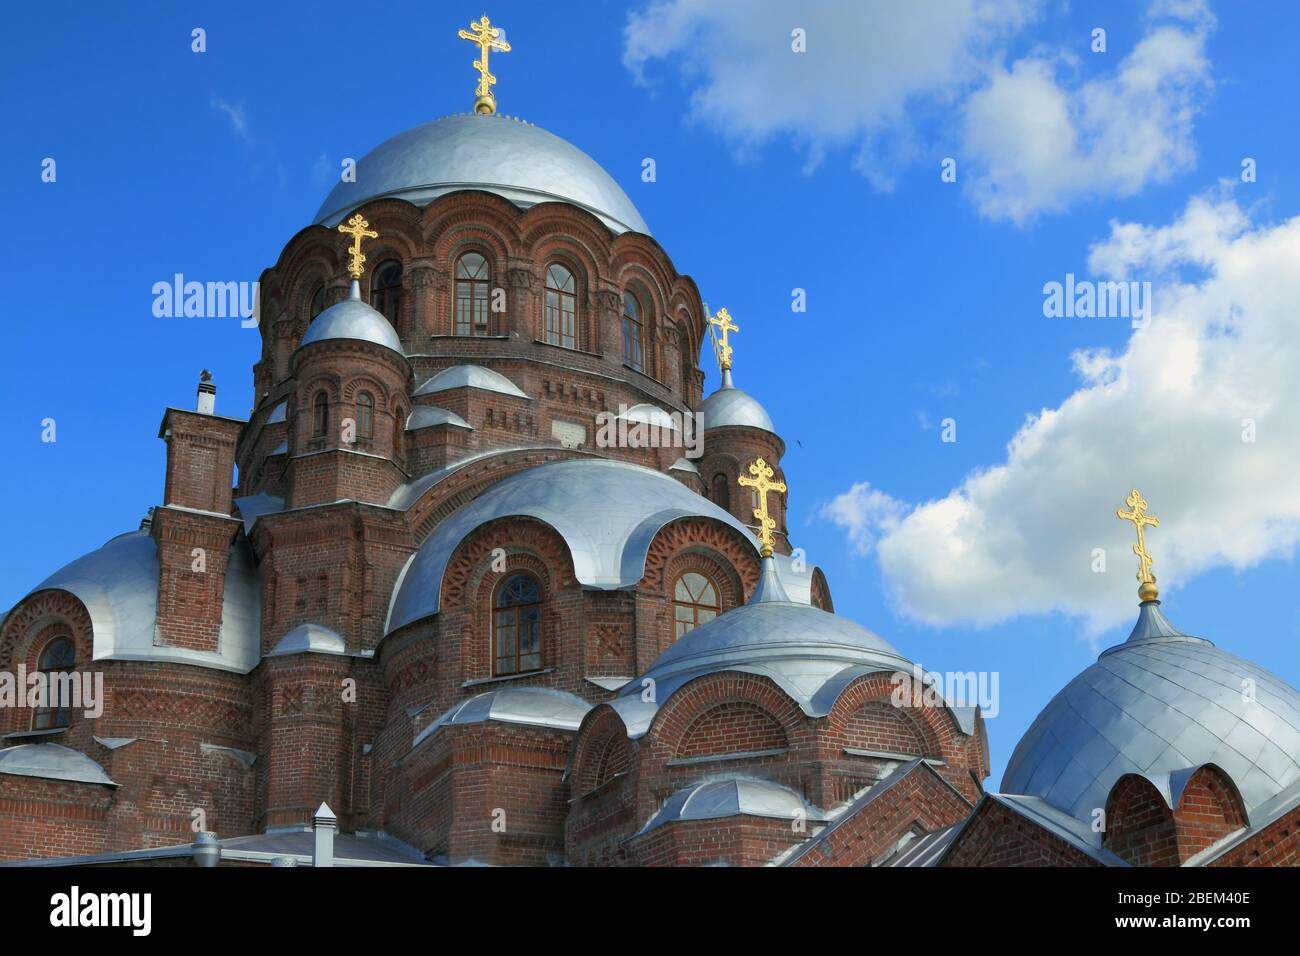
(119, 585)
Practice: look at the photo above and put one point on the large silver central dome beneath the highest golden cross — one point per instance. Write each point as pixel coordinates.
(491, 153)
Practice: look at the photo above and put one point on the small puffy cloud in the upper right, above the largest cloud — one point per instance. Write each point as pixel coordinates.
(1034, 145)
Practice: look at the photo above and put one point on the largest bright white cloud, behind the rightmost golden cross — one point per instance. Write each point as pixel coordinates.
(1165, 414)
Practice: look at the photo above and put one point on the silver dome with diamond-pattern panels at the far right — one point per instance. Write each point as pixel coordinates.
(1158, 706)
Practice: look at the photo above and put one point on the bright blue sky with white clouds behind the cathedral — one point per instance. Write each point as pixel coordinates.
(775, 171)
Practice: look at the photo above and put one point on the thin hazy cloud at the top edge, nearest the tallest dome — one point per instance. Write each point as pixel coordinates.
(865, 63)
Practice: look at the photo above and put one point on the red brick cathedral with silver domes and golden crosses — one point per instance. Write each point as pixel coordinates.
(484, 578)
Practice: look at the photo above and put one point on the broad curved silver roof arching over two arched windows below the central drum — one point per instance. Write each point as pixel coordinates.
(606, 512)
